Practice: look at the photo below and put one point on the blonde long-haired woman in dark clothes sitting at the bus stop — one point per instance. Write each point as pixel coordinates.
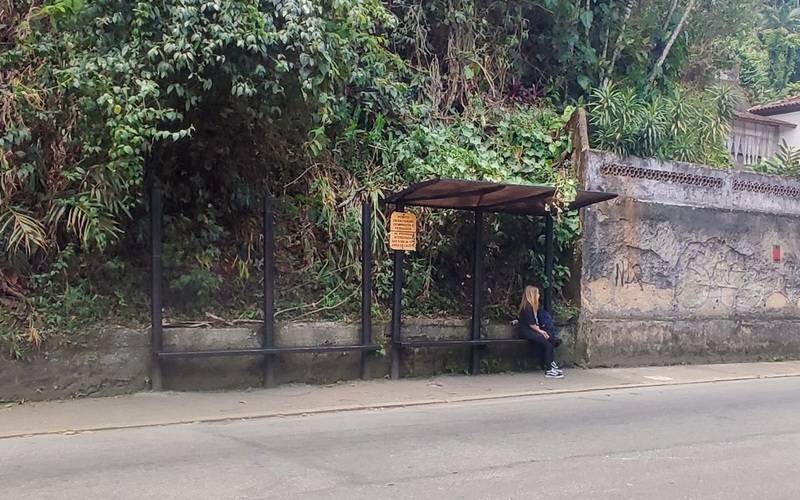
(537, 327)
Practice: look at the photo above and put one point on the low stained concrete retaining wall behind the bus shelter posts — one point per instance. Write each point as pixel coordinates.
(119, 360)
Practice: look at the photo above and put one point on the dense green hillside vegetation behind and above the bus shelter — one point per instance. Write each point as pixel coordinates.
(326, 104)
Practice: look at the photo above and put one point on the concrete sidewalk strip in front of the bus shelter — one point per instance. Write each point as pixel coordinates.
(166, 408)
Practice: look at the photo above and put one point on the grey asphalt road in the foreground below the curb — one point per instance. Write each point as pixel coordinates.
(708, 441)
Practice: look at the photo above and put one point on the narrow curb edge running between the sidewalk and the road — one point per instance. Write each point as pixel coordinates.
(390, 405)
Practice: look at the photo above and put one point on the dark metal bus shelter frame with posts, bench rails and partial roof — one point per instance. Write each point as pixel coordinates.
(479, 197)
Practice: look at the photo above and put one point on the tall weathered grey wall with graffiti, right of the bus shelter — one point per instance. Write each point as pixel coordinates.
(680, 267)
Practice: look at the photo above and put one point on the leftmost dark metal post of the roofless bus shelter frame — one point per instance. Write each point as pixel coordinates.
(156, 298)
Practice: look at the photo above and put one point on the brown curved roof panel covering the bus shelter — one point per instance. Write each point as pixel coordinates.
(489, 196)
